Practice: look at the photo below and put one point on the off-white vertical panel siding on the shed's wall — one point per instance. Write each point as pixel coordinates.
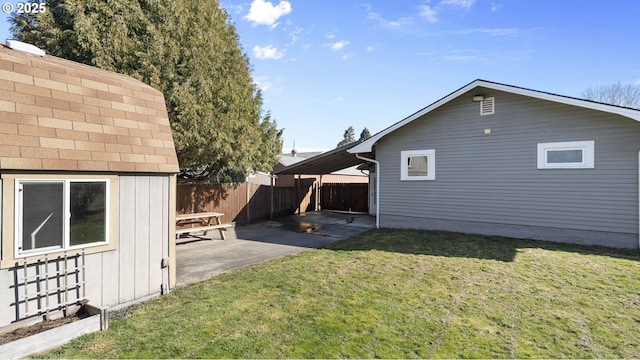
(132, 271)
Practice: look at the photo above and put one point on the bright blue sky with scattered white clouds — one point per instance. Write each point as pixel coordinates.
(325, 65)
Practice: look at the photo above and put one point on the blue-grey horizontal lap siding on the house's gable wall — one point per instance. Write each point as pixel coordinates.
(494, 179)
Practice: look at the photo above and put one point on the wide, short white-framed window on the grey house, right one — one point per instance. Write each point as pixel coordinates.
(566, 155)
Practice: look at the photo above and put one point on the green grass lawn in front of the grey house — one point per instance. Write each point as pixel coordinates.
(396, 294)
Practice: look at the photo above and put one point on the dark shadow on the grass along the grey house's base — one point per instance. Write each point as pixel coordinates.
(451, 244)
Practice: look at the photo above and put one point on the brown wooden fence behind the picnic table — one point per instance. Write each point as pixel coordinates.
(244, 202)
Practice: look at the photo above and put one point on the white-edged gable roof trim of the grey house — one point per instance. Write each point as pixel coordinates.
(367, 146)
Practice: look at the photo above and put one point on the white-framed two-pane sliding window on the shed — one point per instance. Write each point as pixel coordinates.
(54, 215)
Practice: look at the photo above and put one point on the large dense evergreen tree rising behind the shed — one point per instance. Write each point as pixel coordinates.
(186, 49)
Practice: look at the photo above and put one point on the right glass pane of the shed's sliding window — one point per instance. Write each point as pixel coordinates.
(88, 212)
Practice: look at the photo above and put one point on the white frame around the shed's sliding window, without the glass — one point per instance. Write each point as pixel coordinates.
(18, 253)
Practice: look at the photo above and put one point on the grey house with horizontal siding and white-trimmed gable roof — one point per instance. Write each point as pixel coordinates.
(496, 159)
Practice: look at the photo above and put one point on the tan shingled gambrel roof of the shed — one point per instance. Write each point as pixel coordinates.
(56, 114)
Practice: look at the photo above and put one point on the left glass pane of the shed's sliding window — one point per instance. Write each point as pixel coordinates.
(42, 215)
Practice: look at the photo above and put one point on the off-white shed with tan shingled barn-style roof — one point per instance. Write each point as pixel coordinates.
(87, 178)
